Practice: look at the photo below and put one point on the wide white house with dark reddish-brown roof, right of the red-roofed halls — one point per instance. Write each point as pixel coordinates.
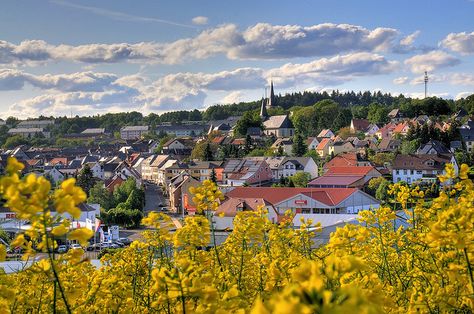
(420, 168)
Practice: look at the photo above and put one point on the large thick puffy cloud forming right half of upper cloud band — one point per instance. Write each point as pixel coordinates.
(266, 41)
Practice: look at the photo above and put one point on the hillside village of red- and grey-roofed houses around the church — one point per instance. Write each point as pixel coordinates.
(328, 178)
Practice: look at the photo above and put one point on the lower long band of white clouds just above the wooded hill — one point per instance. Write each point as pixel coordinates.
(100, 91)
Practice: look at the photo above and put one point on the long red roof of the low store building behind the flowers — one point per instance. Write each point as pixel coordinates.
(275, 195)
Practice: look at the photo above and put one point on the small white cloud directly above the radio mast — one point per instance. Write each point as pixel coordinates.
(431, 61)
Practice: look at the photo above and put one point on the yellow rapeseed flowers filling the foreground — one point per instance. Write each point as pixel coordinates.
(422, 265)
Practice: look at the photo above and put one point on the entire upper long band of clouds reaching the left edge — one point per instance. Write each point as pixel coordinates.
(261, 41)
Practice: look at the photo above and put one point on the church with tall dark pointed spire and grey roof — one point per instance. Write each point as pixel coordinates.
(280, 125)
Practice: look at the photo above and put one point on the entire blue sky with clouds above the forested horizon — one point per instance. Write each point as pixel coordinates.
(86, 57)
